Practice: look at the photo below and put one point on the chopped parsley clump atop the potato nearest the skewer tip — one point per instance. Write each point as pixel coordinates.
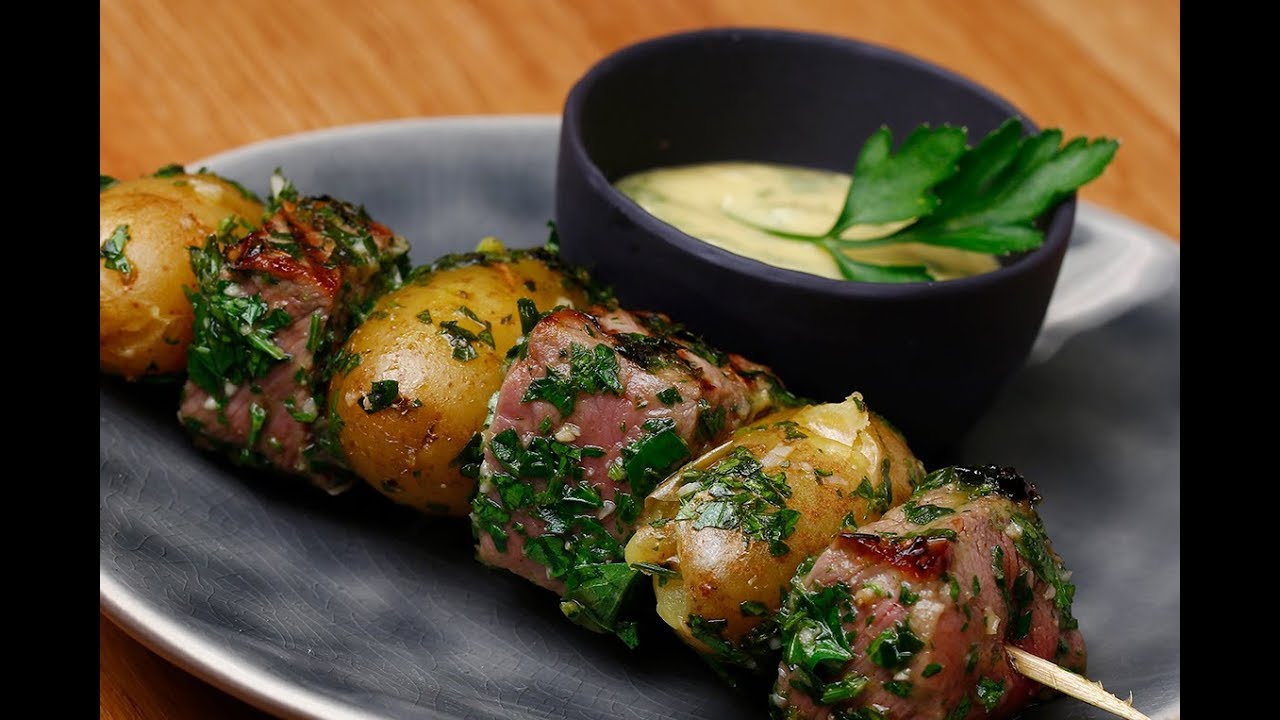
(738, 494)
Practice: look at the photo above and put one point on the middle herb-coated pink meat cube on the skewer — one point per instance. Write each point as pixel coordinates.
(592, 416)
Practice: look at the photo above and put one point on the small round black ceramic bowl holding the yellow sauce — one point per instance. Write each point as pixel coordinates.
(929, 357)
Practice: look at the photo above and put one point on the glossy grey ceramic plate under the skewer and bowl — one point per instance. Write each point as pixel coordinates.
(348, 608)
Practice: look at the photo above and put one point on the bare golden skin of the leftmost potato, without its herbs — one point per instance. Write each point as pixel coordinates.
(144, 318)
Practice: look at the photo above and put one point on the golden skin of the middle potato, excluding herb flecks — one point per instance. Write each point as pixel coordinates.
(405, 452)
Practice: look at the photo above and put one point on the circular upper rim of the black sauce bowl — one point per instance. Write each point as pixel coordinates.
(1057, 233)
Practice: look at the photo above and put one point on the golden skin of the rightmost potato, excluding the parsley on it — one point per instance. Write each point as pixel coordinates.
(717, 568)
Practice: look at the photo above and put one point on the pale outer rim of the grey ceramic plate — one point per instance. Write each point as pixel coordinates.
(221, 667)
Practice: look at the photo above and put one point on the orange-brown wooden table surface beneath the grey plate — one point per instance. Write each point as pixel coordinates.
(186, 79)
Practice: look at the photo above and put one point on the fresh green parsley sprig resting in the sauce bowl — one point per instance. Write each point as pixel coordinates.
(985, 199)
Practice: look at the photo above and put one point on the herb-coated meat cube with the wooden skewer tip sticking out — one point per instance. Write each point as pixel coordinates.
(909, 617)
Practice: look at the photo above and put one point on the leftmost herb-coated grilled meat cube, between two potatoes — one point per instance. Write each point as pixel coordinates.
(272, 309)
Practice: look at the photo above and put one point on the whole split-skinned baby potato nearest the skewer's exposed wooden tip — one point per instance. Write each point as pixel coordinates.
(725, 536)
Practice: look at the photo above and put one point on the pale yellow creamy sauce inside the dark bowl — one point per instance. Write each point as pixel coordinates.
(703, 200)
